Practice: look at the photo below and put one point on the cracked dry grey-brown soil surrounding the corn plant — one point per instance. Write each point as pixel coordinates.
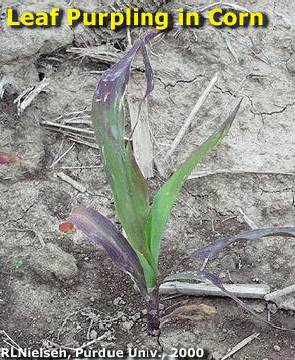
(68, 292)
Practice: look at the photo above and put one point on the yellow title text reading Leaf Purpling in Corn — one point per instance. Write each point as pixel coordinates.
(134, 17)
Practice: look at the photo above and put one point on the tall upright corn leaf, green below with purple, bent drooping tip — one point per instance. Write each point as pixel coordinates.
(128, 184)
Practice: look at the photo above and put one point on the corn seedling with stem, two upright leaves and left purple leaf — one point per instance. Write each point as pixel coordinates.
(144, 224)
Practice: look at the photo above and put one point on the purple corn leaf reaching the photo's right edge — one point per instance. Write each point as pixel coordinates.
(212, 250)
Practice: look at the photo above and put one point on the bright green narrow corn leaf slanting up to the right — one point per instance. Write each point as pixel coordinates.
(167, 195)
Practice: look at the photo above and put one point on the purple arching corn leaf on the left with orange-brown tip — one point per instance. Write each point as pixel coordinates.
(104, 233)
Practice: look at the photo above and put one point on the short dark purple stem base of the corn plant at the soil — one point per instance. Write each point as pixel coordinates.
(153, 316)
